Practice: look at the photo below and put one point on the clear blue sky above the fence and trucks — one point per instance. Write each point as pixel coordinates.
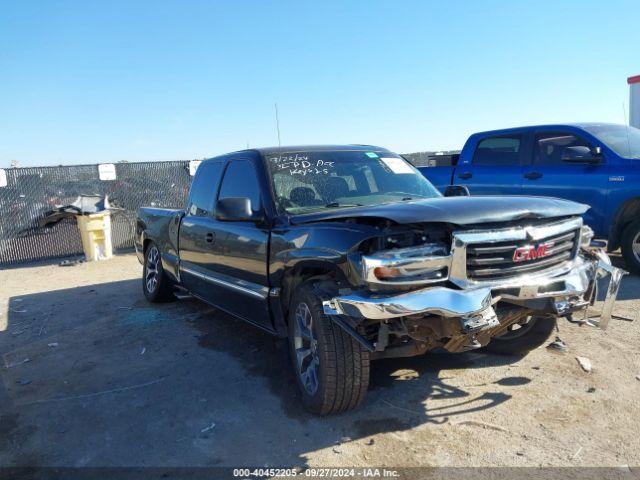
(92, 81)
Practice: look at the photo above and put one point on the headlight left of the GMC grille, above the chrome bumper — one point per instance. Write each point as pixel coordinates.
(428, 263)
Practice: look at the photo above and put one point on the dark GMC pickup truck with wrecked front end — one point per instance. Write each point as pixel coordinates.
(353, 255)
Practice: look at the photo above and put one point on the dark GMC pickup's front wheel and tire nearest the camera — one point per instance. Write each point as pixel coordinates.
(331, 368)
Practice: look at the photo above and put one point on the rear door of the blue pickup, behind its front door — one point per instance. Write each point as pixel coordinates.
(494, 167)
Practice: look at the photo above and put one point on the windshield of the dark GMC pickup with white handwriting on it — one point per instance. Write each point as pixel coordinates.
(316, 180)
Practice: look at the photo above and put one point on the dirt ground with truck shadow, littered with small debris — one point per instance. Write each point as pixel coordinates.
(93, 375)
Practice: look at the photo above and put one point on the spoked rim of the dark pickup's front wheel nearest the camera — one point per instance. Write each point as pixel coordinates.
(306, 349)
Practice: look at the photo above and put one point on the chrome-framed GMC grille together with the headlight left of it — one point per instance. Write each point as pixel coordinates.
(480, 257)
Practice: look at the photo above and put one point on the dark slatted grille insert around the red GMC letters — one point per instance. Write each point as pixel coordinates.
(497, 260)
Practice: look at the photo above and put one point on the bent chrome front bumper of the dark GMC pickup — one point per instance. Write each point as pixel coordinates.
(567, 291)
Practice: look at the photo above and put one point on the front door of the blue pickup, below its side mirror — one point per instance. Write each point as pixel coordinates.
(548, 175)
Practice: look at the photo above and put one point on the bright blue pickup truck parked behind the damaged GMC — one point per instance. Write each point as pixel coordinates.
(592, 163)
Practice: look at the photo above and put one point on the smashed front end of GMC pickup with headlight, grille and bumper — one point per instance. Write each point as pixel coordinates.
(459, 294)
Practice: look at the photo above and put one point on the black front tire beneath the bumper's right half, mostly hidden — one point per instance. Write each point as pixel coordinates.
(524, 339)
